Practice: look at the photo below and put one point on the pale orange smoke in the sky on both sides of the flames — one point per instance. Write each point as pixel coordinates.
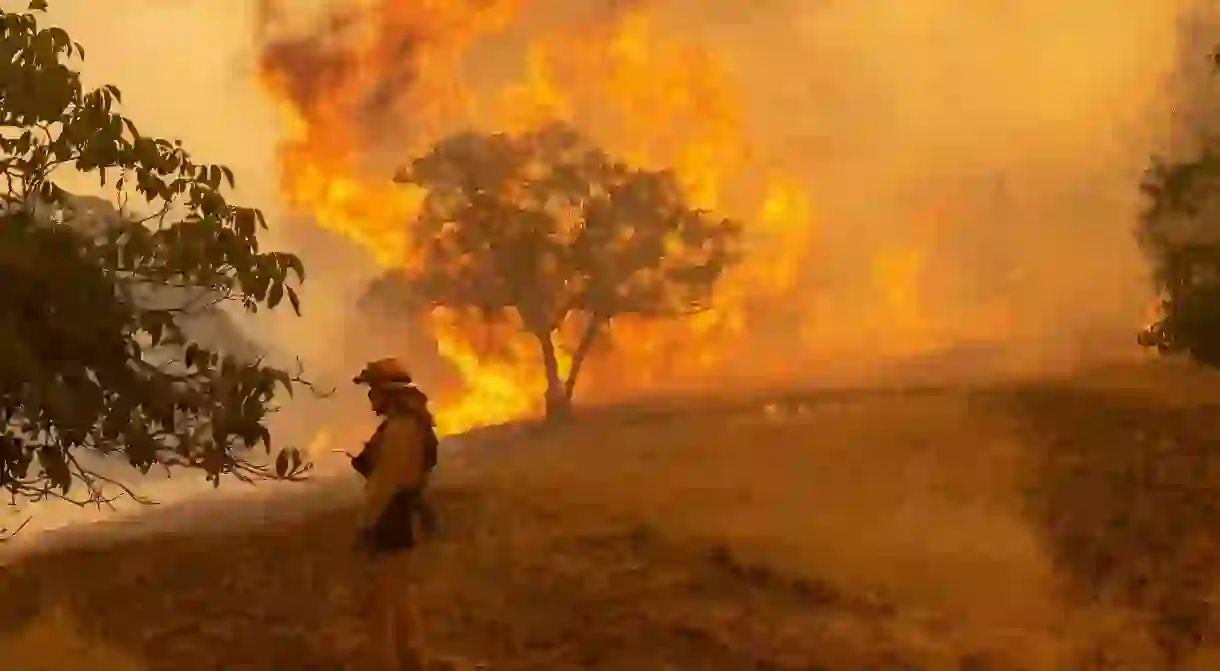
(992, 148)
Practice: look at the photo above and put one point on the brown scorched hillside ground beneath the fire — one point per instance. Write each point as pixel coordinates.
(1039, 526)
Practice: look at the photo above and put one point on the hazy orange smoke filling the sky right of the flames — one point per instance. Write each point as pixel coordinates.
(985, 157)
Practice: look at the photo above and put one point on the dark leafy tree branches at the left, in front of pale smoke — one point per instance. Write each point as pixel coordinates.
(95, 358)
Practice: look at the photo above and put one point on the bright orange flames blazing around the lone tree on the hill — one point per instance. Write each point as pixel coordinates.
(384, 80)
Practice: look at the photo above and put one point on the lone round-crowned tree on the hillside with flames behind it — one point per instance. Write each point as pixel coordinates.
(550, 230)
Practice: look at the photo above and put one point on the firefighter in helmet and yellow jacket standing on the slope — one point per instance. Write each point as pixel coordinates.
(396, 464)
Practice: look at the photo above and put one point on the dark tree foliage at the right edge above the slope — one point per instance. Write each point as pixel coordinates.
(1180, 231)
